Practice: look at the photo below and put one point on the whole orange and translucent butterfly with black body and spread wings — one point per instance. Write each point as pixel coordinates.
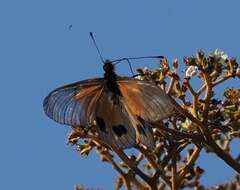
(122, 108)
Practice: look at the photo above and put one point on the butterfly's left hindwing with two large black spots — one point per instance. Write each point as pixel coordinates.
(114, 124)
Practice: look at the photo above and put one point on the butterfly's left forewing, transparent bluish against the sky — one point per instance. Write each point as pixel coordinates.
(74, 104)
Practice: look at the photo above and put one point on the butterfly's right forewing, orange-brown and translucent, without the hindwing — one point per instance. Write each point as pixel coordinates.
(145, 99)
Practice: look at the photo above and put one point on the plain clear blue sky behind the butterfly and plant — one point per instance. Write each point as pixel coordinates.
(38, 52)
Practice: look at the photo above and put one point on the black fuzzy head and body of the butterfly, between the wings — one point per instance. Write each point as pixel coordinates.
(111, 79)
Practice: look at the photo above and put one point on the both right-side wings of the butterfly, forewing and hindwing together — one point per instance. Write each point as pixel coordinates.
(146, 103)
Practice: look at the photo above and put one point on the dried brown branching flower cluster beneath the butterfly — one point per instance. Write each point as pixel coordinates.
(202, 121)
